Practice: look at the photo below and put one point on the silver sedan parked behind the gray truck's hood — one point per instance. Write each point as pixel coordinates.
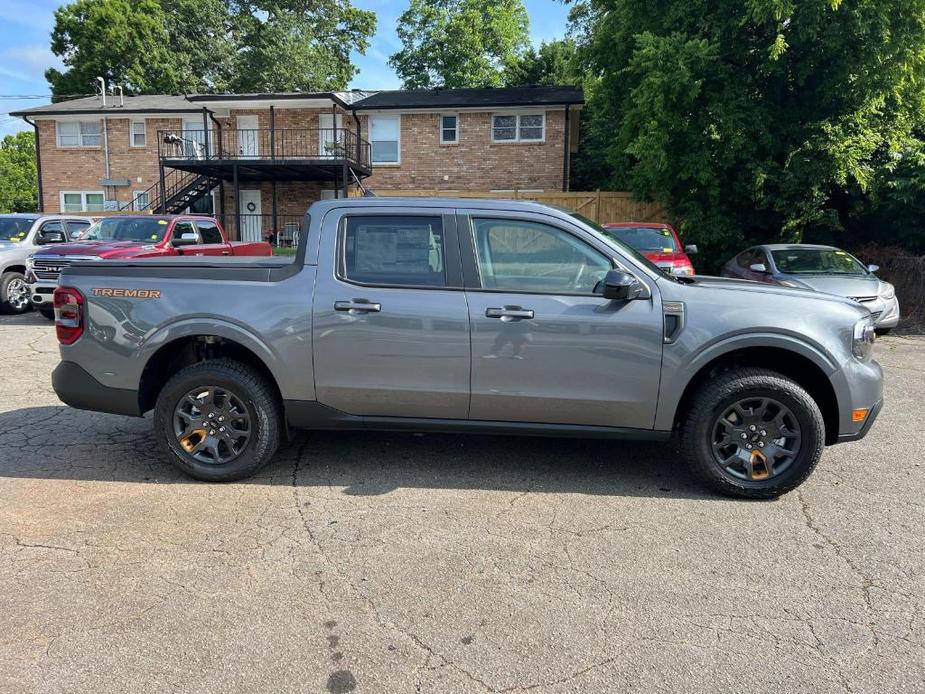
(823, 269)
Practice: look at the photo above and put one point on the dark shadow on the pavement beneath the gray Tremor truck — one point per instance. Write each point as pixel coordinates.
(58, 442)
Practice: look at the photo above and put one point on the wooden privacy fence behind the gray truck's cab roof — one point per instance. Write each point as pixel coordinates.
(600, 206)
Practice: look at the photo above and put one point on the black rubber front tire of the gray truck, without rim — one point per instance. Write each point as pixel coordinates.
(720, 392)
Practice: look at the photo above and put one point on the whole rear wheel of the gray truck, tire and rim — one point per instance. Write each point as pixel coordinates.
(218, 421)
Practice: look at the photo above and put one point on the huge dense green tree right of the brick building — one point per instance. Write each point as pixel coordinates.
(760, 121)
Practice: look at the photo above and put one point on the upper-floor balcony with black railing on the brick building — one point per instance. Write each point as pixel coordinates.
(267, 154)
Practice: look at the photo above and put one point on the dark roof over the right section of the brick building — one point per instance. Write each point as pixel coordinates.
(472, 98)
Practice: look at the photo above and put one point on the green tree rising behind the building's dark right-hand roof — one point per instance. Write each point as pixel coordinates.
(459, 43)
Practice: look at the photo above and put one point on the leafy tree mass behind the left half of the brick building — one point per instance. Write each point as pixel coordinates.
(151, 46)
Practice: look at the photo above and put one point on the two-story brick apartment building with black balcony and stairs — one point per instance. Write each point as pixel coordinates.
(259, 160)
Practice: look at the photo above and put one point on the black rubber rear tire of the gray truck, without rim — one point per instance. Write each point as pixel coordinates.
(260, 400)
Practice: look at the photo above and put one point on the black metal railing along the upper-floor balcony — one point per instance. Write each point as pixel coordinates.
(287, 144)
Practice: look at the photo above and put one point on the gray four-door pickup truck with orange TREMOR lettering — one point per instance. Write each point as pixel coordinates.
(467, 316)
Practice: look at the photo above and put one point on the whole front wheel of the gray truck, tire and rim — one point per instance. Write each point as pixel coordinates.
(752, 433)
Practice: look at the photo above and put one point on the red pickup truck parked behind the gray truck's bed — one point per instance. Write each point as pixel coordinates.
(132, 236)
